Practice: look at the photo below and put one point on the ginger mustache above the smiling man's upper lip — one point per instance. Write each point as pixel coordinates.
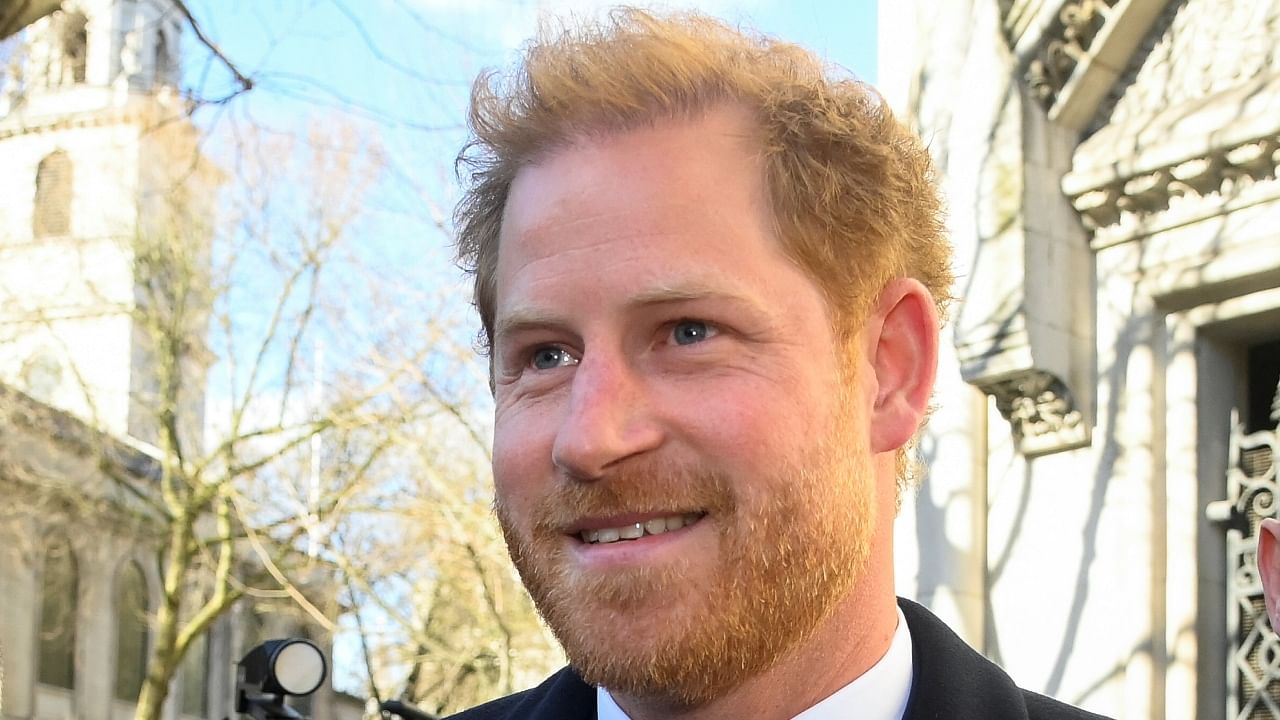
(641, 487)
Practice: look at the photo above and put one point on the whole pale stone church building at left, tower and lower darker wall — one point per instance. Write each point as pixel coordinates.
(94, 140)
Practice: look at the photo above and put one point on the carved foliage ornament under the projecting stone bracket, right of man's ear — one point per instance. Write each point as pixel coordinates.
(1041, 412)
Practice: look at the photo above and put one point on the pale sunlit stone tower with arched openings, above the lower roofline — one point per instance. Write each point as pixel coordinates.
(98, 153)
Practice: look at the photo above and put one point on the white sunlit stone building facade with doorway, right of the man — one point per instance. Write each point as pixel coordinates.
(1105, 440)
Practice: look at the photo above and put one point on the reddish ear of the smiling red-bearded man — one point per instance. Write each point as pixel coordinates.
(902, 347)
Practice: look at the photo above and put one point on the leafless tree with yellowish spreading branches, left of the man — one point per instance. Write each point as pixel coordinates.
(309, 408)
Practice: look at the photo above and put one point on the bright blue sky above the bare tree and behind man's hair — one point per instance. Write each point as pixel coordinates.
(401, 70)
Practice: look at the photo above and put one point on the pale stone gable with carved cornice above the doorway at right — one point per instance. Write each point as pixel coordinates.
(1185, 134)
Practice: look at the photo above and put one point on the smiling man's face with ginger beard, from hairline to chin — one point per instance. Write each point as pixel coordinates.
(680, 454)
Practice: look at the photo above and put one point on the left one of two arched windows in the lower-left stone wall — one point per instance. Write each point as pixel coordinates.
(60, 593)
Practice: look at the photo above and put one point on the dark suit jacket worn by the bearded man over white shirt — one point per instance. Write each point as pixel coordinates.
(950, 682)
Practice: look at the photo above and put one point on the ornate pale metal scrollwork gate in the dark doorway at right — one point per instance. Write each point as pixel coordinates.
(1254, 662)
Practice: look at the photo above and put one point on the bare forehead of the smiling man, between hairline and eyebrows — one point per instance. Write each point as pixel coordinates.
(633, 190)
